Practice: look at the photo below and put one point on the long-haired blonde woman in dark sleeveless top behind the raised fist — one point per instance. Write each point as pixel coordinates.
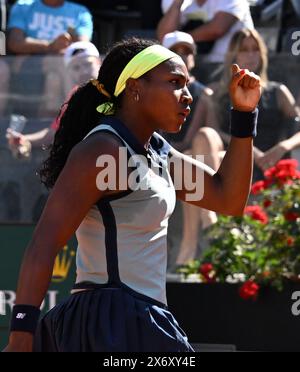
(278, 122)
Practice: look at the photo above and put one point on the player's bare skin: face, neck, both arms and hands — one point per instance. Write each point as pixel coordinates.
(163, 104)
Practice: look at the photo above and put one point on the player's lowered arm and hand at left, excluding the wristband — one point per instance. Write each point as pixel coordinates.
(73, 195)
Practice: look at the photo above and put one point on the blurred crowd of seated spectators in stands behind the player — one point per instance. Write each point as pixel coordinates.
(54, 46)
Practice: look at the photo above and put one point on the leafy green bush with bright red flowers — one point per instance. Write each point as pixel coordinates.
(263, 246)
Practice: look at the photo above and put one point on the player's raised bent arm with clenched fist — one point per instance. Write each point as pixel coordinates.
(227, 190)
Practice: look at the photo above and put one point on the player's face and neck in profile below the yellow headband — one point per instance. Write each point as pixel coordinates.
(164, 86)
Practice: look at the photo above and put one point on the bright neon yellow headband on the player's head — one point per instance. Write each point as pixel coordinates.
(140, 64)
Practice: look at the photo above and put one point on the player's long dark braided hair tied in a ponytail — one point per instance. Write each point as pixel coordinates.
(81, 115)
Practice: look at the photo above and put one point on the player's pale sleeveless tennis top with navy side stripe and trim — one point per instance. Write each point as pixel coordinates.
(125, 236)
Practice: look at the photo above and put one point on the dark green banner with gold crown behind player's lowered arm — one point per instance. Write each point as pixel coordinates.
(13, 241)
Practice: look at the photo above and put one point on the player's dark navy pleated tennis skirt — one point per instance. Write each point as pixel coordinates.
(109, 320)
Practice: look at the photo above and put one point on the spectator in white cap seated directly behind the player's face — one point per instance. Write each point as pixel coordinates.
(183, 44)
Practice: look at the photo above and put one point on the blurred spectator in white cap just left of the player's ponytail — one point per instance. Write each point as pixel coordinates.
(82, 61)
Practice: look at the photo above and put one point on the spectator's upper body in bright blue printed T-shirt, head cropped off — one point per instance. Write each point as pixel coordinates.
(47, 26)
